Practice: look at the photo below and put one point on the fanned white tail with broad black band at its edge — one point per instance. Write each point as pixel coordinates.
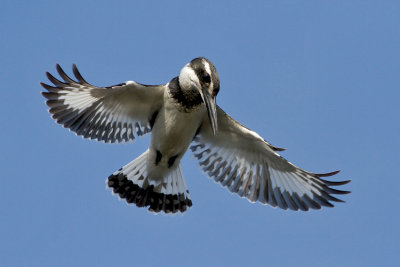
(132, 183)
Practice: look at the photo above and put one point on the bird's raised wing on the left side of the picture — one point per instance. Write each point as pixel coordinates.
(110, 114)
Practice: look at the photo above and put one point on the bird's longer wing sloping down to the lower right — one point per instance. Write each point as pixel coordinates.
(246, 164)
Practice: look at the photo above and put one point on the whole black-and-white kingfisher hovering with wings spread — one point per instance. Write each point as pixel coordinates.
(180, 114)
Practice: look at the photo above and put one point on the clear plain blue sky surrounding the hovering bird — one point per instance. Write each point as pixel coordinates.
(320, 78)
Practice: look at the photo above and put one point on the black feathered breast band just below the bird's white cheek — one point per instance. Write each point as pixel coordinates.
(188, 99)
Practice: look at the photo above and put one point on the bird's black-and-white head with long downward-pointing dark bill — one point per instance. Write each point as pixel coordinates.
(200, 75)
